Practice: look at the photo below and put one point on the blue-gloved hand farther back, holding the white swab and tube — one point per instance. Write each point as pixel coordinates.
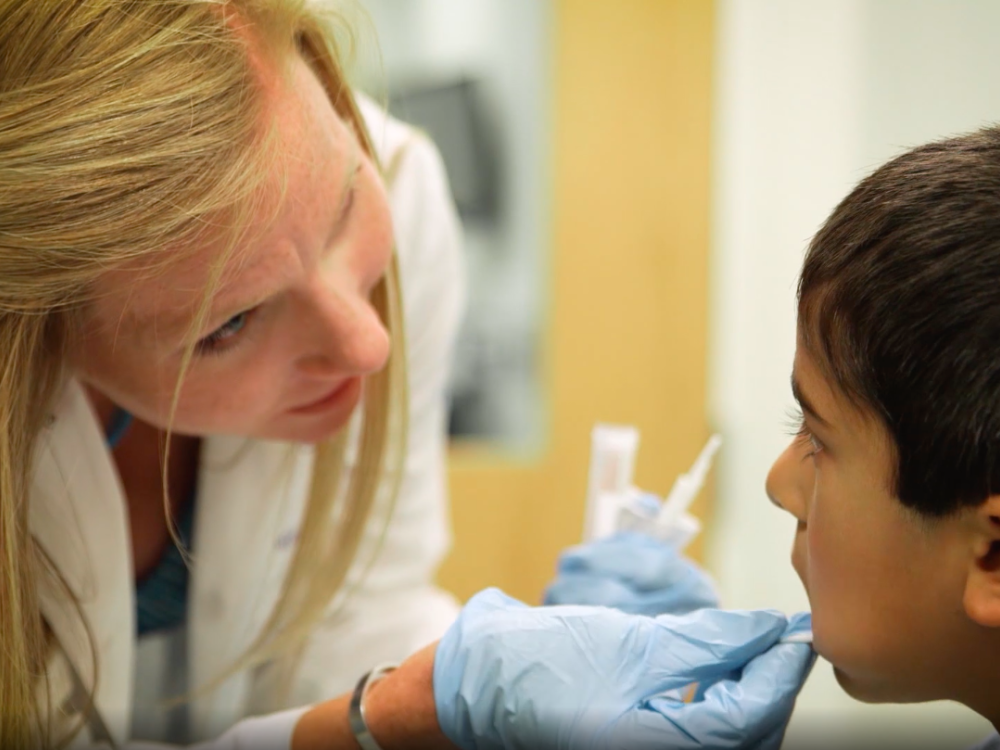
(634, 573)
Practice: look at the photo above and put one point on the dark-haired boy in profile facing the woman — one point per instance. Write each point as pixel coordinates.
(894, 476)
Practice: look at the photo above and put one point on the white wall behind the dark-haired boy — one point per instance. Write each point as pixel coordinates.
(810, 96)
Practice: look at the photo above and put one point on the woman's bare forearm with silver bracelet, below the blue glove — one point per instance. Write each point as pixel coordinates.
(399, 709)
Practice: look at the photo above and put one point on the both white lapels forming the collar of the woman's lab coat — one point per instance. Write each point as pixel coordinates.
(251, 495)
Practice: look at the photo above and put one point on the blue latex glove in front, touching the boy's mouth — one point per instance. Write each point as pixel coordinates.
(571, 678)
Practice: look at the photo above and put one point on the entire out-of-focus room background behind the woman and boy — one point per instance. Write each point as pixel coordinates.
(638, 180)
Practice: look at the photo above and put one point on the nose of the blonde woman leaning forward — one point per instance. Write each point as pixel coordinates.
(346, 338)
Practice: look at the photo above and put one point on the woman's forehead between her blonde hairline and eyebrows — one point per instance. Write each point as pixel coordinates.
(293, 212)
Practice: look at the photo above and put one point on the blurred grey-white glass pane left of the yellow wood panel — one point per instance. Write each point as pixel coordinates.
(474, 76)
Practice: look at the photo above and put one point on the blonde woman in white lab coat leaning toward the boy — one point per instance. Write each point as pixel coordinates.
(201, 314)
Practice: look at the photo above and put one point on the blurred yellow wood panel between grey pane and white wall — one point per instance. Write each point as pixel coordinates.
(624, 335)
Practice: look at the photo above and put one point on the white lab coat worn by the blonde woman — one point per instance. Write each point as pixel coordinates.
(247, 516)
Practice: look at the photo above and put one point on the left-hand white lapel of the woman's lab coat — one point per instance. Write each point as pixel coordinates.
(78, 516)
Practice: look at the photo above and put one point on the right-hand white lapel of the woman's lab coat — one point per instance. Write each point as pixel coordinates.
(250, 499)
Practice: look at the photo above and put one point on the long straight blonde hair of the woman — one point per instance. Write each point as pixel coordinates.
(126, 128)
